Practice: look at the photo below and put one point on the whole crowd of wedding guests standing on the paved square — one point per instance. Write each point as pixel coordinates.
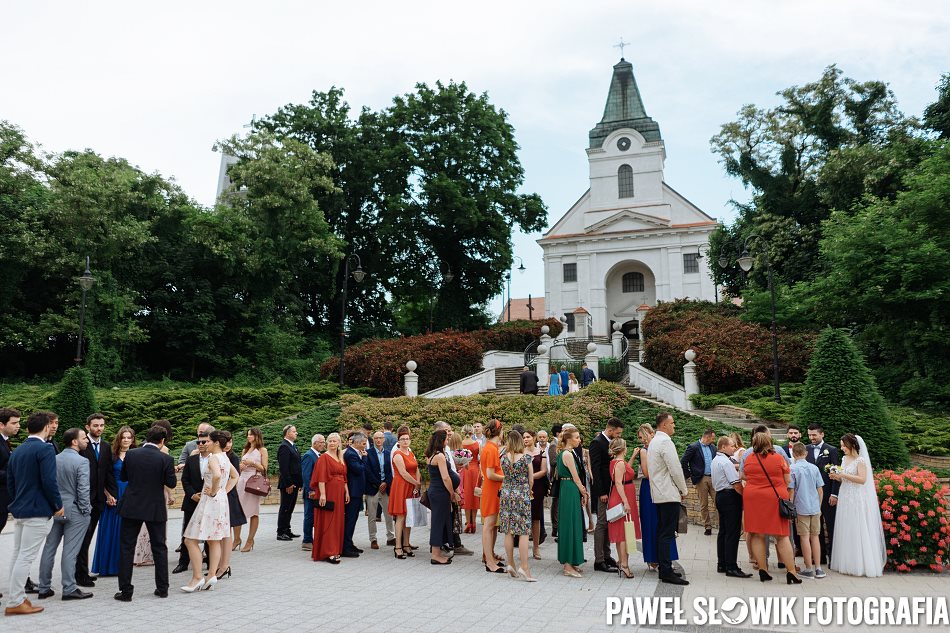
(786, 495)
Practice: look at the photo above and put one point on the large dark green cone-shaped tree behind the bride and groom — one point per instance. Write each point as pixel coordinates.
(841, 395)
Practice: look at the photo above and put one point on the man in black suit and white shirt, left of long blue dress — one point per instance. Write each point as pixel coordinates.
(101, 480)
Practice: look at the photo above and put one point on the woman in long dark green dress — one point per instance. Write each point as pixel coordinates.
(571, 499)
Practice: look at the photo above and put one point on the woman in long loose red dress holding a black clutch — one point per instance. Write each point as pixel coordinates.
(328, 487)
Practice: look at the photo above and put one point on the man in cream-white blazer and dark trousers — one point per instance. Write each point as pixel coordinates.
(668, 487)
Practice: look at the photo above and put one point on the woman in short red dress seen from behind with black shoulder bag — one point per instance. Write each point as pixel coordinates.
(762, 470)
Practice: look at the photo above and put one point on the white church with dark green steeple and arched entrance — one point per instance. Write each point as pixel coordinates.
(631, 240)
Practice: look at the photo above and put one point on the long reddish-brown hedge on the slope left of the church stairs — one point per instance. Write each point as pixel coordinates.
(443, 357)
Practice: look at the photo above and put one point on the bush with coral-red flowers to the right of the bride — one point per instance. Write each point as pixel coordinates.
(916, 518)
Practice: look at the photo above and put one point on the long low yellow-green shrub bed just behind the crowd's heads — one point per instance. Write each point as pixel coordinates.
(587, 410)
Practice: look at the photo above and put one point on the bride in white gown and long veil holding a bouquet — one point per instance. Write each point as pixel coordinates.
(859, 535)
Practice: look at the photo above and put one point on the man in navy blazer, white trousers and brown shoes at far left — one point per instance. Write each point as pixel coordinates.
(34, 501)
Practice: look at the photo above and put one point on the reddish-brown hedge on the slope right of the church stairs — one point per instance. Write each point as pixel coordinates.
(730, 353)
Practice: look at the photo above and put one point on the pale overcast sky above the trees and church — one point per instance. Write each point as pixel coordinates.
(158, 83)
